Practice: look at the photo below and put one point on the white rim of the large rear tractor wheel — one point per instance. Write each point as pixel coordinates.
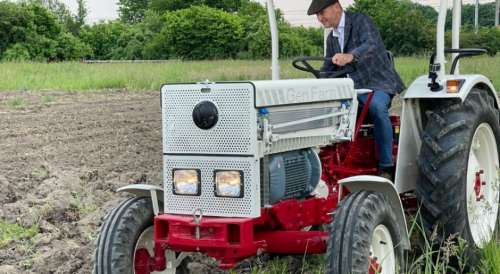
(482, 209)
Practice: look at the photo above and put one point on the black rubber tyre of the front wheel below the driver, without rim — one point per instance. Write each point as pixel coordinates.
(354, 222)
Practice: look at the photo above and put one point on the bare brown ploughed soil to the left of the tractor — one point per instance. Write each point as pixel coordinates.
(60, 163)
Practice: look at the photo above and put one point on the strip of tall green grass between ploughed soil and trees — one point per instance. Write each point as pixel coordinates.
(149, 77)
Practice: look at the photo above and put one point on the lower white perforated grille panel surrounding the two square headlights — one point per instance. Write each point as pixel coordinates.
(248, 206)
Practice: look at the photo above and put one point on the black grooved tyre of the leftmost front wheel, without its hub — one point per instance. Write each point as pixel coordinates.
(119, 234)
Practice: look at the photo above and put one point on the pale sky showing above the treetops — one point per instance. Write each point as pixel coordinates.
(295, 10)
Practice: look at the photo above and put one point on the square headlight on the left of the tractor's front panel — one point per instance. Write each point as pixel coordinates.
(186, 182)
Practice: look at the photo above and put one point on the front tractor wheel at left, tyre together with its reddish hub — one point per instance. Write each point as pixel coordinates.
(125, 243)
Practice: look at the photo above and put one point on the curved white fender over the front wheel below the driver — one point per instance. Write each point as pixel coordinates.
(384, 186)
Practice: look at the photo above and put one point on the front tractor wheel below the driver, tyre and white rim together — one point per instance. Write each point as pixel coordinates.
(364, 237)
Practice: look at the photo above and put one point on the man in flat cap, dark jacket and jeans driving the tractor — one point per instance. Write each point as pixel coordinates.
(355, 41)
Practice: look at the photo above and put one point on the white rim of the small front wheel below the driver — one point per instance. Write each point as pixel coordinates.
(382, 250)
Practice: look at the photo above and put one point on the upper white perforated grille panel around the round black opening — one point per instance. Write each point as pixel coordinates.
(234, 134)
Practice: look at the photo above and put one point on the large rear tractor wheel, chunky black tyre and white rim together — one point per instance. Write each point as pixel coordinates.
(458, 185)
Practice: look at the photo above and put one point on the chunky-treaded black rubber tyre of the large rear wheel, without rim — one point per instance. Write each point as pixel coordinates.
(443, 162)
